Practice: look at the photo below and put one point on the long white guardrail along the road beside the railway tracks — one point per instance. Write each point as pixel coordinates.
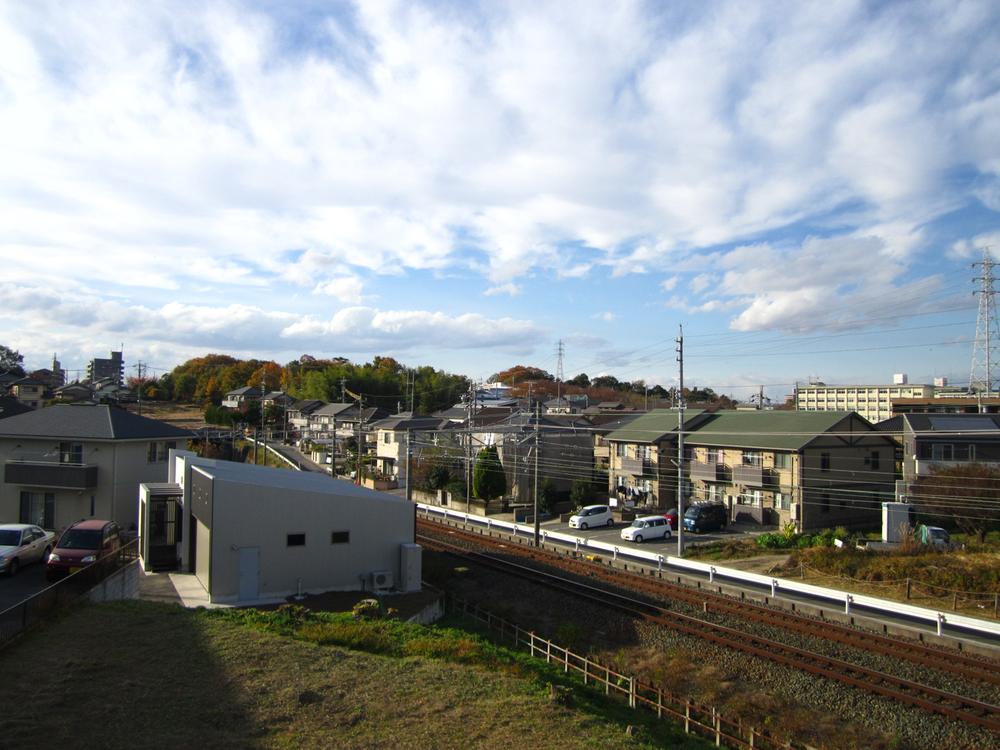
(940, 621)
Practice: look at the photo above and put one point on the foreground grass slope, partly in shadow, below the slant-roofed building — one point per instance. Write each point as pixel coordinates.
(140, 674)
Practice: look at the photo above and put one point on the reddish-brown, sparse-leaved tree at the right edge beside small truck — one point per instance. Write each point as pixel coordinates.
(966, 495)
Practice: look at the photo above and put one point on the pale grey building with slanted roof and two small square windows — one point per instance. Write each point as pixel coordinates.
(253, 532)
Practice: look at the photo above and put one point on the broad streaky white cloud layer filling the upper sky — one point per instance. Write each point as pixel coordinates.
(530, 129)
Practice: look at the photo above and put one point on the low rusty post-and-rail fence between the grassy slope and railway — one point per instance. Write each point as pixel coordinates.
(698, 719)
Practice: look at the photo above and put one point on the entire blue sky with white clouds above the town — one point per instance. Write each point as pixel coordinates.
(802, 186)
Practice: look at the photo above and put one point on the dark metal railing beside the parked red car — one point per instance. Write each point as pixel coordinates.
(29, 612)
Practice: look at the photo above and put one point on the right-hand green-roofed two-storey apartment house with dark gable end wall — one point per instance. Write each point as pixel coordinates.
(814, 469)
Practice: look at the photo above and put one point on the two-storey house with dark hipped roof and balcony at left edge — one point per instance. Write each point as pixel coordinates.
(69, 462)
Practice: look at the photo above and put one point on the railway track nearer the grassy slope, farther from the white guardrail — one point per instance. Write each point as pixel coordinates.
(950, 705)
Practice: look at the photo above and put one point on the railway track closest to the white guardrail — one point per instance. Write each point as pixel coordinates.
(947, 661)
